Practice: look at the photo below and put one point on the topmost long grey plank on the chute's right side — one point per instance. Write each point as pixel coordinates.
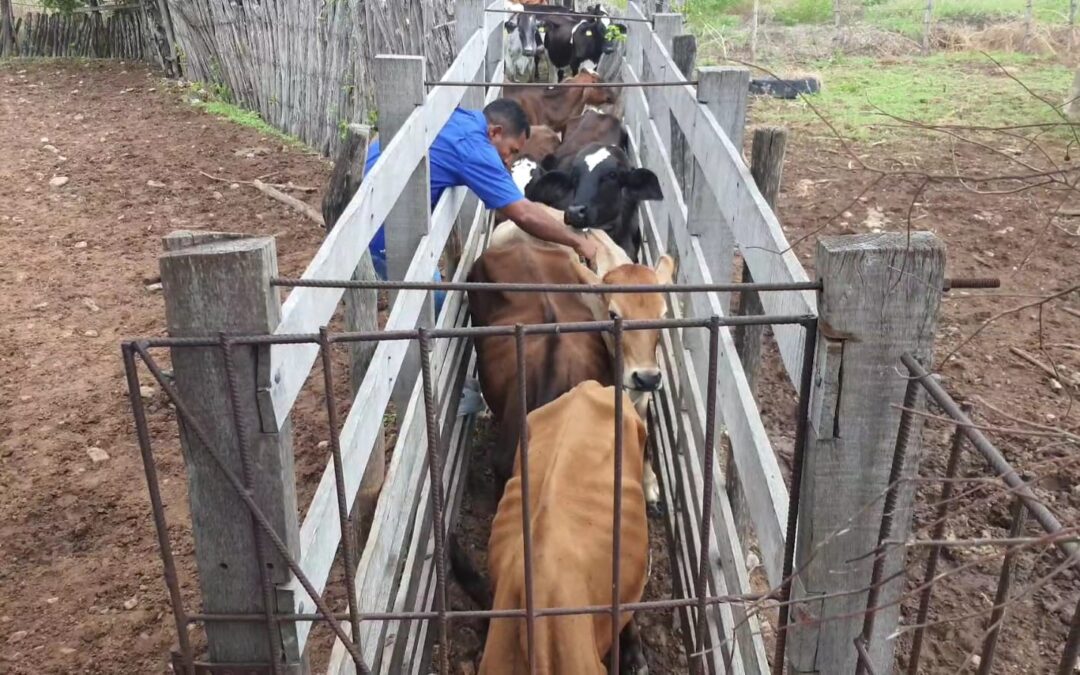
(755, 227)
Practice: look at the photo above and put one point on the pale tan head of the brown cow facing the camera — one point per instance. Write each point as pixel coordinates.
(641, 373)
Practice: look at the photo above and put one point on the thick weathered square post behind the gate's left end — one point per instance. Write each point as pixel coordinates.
(215, 283)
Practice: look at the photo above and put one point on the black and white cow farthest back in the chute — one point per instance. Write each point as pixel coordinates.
(577, 40)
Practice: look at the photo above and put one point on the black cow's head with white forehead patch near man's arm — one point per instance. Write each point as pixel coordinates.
(599, 190)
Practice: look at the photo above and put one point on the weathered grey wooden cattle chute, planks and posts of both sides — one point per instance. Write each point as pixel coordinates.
(877, 299)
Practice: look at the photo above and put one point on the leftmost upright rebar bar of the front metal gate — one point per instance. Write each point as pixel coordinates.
(157, 506)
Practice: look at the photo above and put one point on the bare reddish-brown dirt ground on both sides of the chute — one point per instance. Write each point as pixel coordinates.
(80, 579)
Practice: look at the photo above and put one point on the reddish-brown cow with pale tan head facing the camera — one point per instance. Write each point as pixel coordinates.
(557, 363)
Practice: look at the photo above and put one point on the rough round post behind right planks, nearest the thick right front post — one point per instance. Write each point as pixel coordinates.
(767, 164)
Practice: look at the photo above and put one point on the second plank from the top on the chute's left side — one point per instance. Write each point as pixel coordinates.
(321, 532)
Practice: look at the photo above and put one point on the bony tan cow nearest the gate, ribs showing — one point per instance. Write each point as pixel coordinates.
(572, 491)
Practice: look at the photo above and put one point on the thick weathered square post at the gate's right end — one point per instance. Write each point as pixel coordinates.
(882, 298)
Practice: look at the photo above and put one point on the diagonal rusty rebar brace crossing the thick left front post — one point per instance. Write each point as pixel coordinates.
(192, 423)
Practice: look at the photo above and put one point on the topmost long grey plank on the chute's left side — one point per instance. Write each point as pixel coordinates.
(307, 309)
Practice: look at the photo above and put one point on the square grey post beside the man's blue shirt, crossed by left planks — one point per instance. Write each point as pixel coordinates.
(399, 91)
